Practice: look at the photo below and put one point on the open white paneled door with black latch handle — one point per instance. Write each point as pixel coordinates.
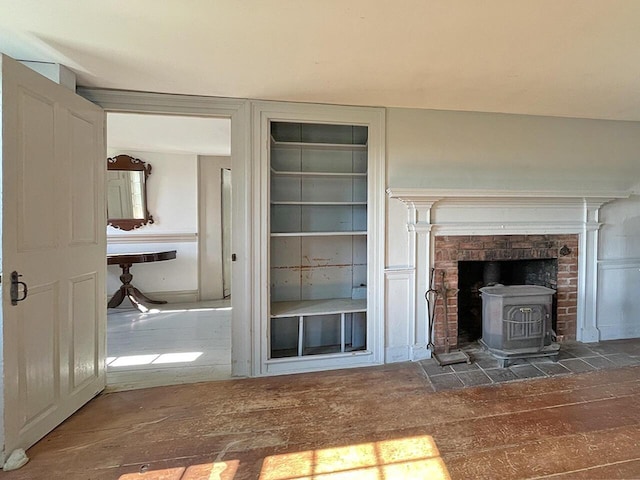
(53, 235)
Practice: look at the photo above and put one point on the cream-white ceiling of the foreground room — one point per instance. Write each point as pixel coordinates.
(576, 58)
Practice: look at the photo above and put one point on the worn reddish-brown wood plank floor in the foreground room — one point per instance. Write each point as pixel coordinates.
(383, 422)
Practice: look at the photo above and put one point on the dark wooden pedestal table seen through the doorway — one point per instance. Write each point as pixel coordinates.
(126, 260)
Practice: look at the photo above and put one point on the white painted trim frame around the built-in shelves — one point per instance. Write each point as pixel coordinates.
(263, 113)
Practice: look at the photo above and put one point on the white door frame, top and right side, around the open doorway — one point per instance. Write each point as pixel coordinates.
(238, 111)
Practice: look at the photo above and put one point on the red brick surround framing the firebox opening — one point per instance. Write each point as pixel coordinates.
(449, 250)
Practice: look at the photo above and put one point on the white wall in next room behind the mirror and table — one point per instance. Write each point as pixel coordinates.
(173, 202)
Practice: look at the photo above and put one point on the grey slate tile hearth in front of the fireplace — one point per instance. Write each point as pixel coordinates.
(574, 357)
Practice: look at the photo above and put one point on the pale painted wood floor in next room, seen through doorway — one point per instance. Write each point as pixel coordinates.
(170, 344)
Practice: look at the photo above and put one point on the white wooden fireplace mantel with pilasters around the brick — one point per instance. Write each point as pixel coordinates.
(437, 212)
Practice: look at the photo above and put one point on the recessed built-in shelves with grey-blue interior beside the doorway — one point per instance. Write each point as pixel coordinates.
(318, 200)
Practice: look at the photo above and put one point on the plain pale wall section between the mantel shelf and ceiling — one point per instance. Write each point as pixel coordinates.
(438, 149)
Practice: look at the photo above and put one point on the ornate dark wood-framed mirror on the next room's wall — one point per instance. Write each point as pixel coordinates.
(127, 192)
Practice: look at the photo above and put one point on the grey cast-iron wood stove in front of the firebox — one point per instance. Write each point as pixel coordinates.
(516, 322)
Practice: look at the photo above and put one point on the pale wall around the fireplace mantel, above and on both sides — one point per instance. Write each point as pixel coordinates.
(464, 151)
